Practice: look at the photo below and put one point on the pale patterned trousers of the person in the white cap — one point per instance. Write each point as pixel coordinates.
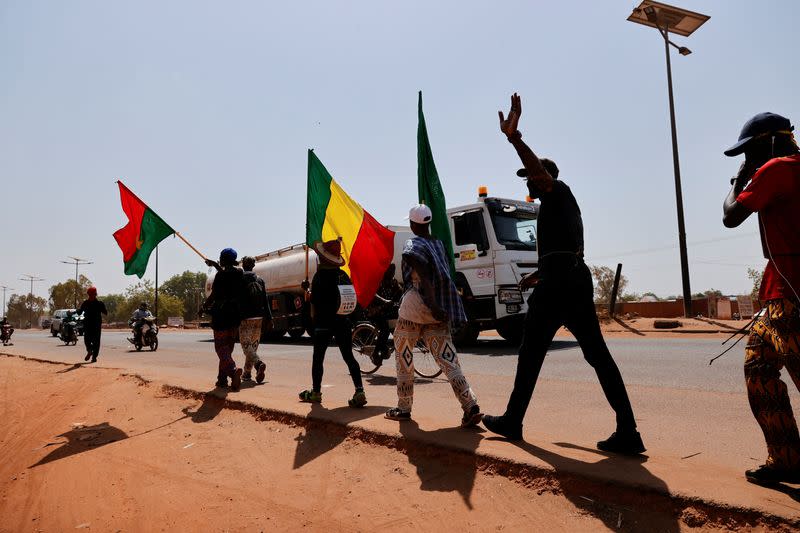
(437, 339)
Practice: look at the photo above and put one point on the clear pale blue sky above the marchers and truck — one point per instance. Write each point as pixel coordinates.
(206, 110)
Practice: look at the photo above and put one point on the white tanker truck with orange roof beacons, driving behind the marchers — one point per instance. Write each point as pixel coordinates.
(494, 245)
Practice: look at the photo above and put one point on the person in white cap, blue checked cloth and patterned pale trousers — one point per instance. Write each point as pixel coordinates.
(430, 306)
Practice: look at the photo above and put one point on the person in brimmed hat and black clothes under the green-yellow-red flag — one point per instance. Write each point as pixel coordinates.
(330, 320)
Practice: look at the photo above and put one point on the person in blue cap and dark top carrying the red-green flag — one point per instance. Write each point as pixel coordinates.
(223, 303)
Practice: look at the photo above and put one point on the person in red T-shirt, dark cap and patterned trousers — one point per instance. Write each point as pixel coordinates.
(768, 183)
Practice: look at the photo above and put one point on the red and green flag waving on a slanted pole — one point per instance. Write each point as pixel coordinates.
(141, 235)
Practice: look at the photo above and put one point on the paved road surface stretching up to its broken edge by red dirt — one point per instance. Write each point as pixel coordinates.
(694, 419)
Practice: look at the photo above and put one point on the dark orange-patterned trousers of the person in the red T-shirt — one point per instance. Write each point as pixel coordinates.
(775, 343)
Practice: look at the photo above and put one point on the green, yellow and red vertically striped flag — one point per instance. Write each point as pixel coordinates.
(367, 245)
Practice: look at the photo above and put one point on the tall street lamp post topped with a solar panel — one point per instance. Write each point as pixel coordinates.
(670, 19)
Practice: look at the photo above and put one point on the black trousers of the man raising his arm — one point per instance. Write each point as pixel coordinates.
(566, 299)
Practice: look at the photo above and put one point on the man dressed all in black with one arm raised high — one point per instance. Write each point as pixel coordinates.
(562, 295)
